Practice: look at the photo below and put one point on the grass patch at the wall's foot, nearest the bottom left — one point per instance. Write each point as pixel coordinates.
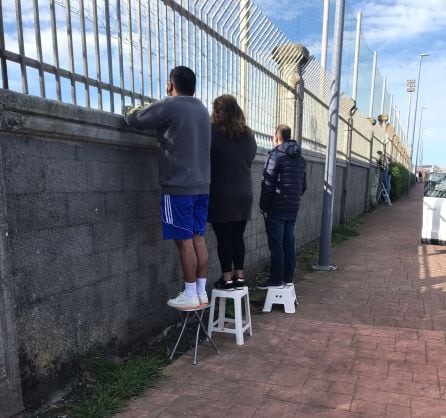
(107, 381)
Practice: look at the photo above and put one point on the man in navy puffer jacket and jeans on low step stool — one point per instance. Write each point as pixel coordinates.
(283, 184)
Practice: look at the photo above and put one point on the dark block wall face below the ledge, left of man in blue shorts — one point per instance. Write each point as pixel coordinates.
(88, 263)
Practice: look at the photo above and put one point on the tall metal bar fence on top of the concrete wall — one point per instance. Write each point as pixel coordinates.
(109, 53)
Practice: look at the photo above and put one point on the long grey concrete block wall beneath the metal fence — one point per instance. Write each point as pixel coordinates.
(88, 264)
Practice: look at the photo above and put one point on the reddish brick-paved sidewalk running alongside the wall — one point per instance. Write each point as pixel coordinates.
(366, 340)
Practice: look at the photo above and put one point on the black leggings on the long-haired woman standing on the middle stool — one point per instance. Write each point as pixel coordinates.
(230, 244)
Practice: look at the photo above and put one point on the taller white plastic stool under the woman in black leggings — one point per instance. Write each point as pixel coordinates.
(240, 324)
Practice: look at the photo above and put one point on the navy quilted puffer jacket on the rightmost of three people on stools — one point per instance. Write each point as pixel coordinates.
(284, 179)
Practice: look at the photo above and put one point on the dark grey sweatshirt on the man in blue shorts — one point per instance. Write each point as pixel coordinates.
(184, 136)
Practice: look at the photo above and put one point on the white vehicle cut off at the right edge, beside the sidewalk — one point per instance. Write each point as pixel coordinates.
(434, 210)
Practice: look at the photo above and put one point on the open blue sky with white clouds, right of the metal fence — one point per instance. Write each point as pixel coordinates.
(399, 30)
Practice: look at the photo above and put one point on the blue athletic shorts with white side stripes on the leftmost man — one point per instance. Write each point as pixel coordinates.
(184, 216)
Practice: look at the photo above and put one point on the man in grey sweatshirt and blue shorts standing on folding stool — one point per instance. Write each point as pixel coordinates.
(184, 135)
